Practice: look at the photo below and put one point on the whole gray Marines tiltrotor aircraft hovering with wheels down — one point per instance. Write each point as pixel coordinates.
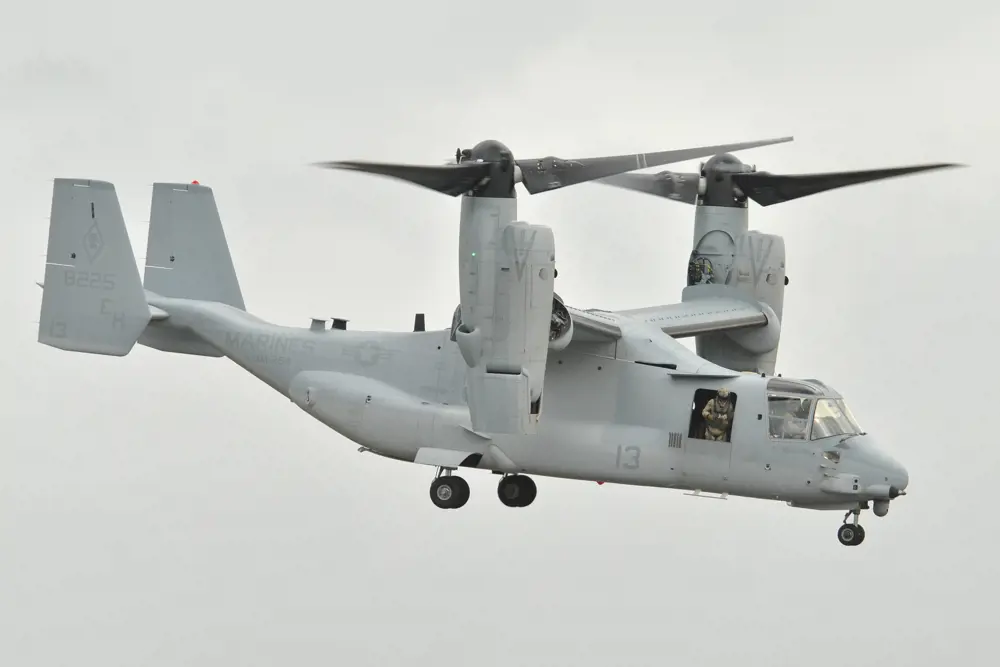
(520, 384)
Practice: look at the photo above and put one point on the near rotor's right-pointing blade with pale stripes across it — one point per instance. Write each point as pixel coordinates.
(552, 173)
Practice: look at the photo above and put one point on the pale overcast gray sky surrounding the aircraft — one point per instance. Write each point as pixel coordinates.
(163, 510)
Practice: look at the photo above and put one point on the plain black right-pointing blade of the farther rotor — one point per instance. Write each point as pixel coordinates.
(767, 189)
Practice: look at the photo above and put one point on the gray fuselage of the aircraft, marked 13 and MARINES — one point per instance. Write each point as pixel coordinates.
(604, 419)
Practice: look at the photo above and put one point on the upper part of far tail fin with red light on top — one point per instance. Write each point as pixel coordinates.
(187, 255)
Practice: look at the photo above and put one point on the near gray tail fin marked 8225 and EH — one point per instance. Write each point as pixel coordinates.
(92, 299)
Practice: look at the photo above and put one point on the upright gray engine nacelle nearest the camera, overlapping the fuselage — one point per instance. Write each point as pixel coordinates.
(503, 330)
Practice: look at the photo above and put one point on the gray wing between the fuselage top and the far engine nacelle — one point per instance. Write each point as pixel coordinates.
(692, 318)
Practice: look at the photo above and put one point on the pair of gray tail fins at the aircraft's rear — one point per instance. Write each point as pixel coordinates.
(93, 298)
